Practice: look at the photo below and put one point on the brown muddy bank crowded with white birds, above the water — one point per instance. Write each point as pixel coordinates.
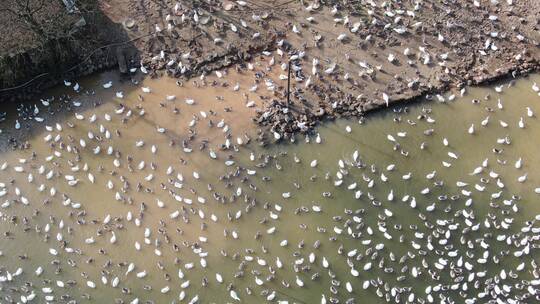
(431, 49)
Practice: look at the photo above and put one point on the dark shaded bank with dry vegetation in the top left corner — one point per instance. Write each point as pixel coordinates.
(85, 41)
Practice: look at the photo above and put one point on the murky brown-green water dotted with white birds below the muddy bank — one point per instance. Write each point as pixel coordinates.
(33, 224)
